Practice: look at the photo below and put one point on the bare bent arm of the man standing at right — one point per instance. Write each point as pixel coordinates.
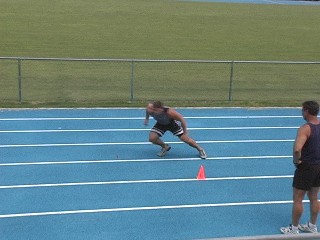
(302, 136)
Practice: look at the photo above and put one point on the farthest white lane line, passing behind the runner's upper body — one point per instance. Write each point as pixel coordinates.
(141, 118)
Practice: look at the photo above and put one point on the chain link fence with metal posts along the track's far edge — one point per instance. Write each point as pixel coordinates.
(120, 80)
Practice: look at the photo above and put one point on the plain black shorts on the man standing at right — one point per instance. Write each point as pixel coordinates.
(306, 176)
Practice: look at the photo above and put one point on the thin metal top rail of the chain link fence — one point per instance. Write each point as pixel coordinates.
(154, 60)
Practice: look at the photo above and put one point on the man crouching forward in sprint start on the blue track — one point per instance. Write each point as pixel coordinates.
(168, 119)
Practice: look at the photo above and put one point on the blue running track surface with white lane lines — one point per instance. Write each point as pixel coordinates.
(91, 174)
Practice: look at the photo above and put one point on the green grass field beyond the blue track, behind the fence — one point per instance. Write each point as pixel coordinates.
(157, 29)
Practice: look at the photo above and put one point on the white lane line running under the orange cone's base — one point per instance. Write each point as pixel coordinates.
(139, 181)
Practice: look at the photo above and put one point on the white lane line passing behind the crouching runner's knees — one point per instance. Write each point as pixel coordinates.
(139, 143)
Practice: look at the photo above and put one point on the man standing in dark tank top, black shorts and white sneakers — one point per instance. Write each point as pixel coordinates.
(306, 158)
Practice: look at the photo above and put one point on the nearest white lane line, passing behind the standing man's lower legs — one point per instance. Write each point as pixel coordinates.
(127, 209)
